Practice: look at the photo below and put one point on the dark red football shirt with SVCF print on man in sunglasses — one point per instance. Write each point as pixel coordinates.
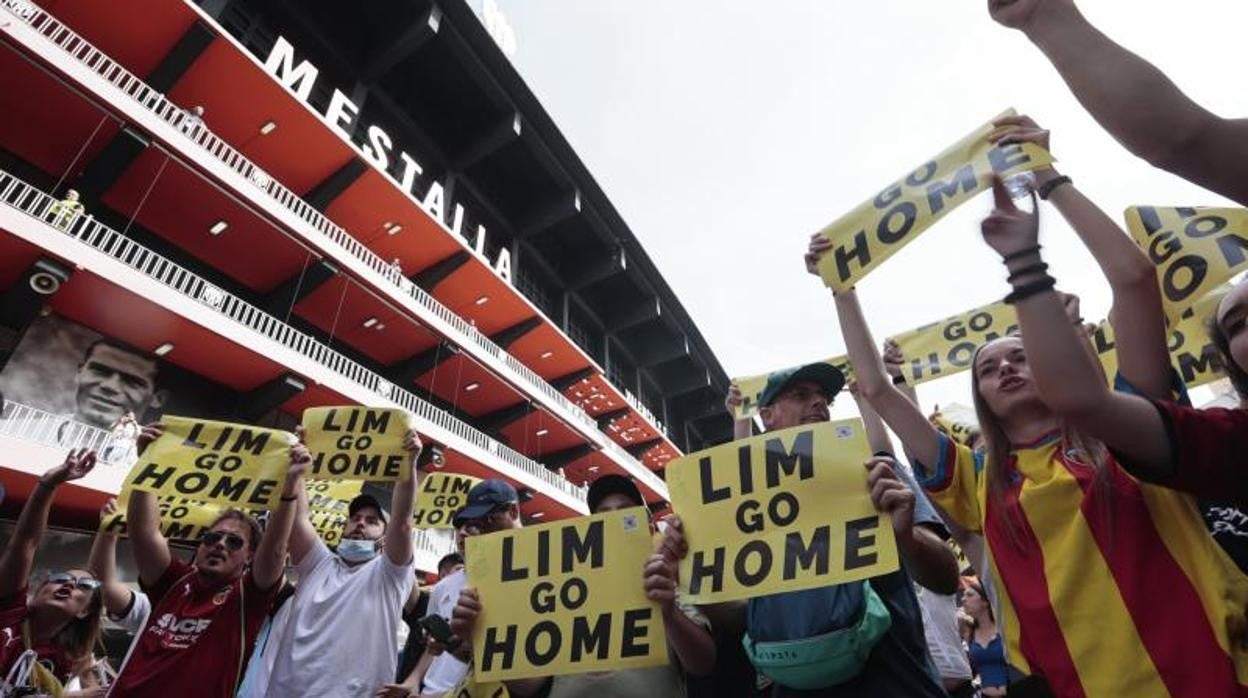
(198, 639)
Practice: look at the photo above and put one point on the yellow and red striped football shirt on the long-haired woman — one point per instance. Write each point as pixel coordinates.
(1123, 595)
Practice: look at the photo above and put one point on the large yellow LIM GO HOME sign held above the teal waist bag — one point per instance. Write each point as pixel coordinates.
(779, 513)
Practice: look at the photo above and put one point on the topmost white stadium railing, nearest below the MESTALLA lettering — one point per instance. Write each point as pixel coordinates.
(82, 51)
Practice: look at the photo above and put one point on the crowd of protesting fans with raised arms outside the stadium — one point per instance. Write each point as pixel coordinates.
(1078, 504)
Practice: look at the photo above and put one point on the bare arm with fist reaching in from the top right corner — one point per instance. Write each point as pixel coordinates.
(1131, 99)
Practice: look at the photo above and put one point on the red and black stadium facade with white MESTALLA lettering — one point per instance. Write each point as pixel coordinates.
(289, 204)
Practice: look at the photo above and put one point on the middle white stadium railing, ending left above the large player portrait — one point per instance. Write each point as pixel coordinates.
(83, 228)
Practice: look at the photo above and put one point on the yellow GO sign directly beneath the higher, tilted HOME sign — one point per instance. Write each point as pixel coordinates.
(947, 348)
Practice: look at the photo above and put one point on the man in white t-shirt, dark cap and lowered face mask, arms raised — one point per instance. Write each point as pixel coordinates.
(341, 637)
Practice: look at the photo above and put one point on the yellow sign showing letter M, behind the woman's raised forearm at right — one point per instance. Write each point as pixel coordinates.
(1192, 353)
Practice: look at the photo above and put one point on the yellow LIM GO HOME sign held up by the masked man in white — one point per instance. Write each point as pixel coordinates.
(358, 443)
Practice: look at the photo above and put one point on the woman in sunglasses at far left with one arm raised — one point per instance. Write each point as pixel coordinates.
(46, 639)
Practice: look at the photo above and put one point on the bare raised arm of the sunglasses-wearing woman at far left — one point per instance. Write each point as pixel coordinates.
(19, 555)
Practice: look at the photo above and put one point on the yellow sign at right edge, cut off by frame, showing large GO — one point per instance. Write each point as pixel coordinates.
(1195, 250)
